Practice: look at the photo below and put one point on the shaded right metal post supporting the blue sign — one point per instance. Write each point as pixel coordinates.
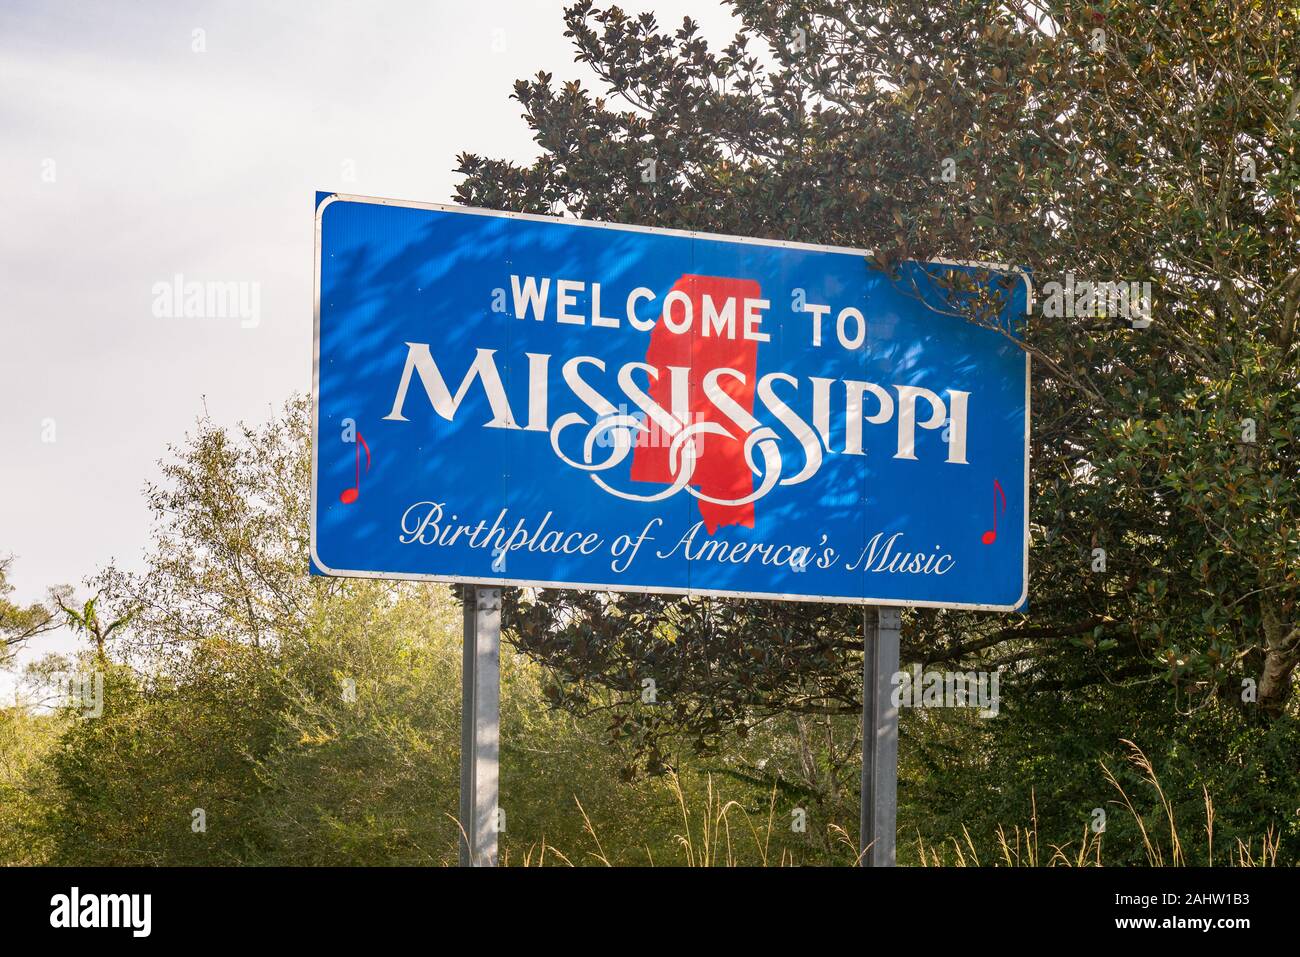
(879, 817)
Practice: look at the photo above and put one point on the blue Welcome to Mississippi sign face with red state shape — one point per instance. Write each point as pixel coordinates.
(532, 401)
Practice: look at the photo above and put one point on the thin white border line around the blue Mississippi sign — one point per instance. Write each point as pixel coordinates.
(643, 590)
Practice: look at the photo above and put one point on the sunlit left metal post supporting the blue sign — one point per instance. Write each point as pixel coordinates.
(480, 721)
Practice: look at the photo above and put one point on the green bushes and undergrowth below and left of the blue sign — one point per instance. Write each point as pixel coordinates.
(258, 733)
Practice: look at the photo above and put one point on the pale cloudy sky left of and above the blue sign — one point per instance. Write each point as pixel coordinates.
(150, 140)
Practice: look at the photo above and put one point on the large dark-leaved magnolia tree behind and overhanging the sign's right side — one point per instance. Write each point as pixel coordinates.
(1115, 144)
